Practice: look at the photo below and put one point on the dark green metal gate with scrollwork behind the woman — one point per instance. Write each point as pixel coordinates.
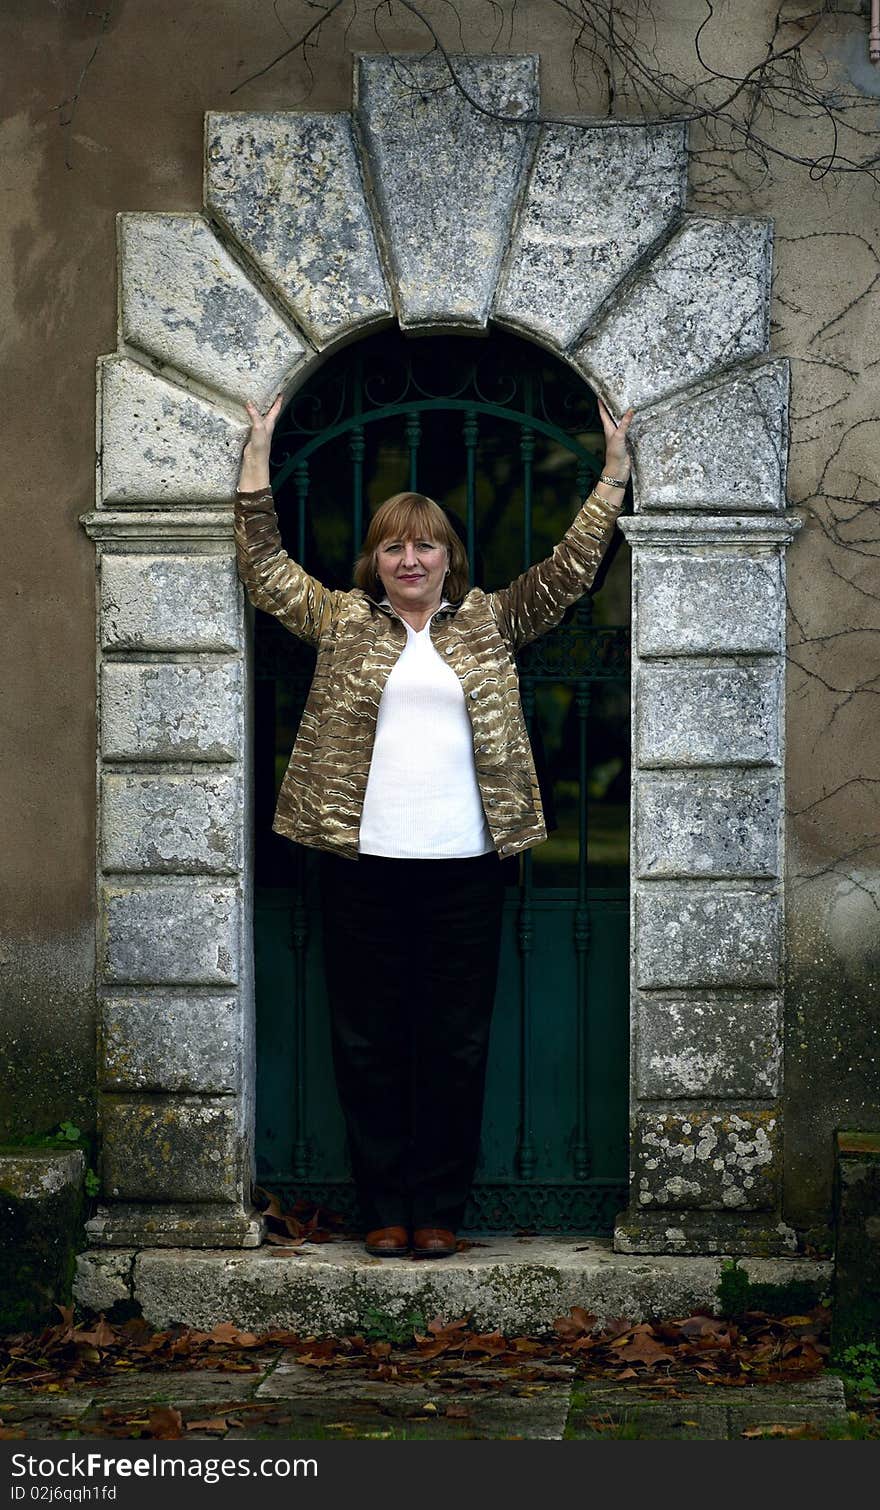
(509, 440)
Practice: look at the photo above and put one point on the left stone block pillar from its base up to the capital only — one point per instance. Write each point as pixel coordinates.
(176, 991)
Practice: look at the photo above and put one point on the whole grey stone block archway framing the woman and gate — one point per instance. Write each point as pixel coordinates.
(419, 208)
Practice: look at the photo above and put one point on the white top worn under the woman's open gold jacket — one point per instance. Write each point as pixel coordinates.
(423, 800)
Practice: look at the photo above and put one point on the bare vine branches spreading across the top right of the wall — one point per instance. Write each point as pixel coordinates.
(615, 46)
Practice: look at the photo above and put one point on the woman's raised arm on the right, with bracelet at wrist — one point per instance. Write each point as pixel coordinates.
(537, 602)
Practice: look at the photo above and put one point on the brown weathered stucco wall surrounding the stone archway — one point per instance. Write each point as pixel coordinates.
(105, 114)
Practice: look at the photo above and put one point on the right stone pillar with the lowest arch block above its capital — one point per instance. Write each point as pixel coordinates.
(709, 679)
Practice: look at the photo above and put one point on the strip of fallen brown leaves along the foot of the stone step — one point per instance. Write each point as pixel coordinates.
(752, 1349)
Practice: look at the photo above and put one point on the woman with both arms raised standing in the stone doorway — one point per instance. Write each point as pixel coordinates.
(413, 775)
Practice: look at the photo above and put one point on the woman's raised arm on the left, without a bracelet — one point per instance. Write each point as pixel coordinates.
(272, 581)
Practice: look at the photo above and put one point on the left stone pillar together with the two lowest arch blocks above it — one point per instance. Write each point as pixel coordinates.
(174, 866)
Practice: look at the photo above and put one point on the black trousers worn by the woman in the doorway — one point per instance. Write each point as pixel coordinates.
(411, 957)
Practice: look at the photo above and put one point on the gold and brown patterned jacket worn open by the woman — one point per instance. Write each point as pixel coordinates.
(358, 643)
